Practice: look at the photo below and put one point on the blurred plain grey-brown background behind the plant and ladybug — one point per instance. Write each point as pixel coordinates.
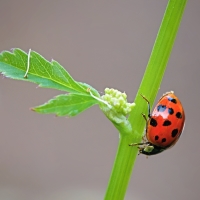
(105, 44)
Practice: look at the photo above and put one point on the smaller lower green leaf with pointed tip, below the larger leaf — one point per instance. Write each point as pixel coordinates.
(67, 104)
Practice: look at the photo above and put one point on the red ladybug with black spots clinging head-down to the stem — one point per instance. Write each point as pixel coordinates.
(164, 126)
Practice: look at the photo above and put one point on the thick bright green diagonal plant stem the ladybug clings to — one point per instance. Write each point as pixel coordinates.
(125, 157)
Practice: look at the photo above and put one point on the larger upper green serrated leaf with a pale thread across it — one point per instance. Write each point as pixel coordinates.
(46, 74)
